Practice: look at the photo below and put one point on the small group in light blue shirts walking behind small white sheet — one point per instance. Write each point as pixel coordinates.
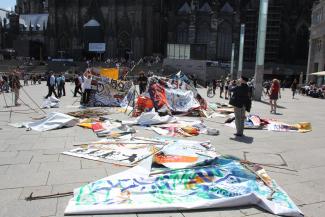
(56, 85)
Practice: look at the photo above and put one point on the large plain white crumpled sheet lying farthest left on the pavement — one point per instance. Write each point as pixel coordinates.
(52, 121)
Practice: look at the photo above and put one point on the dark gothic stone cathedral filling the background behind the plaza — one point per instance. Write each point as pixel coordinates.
(136, 28)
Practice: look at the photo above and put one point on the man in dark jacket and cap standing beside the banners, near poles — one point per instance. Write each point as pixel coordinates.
(241, 100)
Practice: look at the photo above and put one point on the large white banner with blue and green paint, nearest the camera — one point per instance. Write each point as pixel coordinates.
(218, 183)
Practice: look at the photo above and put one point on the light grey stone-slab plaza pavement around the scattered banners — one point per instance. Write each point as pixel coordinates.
(31, 161)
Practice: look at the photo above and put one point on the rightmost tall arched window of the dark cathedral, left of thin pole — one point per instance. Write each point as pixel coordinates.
(224, 41)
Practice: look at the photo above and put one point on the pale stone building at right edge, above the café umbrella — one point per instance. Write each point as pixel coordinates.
(316, 59)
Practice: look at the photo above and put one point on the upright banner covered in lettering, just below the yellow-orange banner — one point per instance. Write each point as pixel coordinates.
(110, 93)
